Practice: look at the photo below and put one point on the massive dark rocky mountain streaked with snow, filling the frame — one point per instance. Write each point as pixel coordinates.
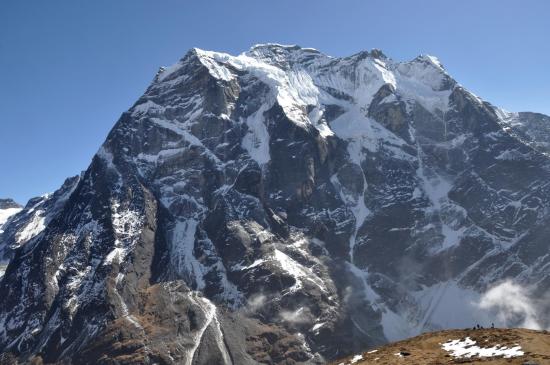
(281, 206)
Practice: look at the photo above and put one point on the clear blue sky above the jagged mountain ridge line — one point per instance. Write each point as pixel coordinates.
(69, 68)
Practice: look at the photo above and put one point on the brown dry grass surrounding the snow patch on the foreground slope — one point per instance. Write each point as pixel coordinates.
(426, 349)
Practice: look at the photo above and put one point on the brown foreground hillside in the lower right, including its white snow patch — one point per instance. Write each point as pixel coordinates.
(500, 346)
